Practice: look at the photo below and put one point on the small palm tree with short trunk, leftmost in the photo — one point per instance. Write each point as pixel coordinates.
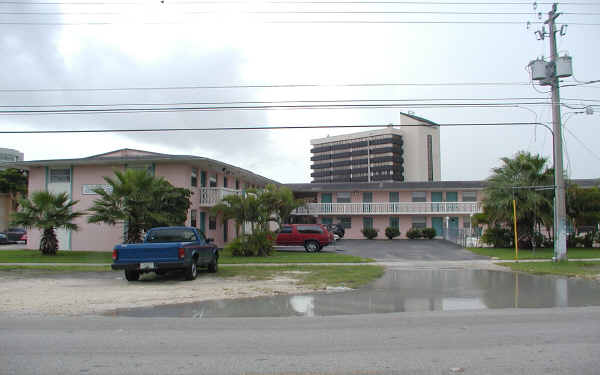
(47, 212)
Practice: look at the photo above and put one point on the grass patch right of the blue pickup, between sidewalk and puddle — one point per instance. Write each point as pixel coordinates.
(312, 276)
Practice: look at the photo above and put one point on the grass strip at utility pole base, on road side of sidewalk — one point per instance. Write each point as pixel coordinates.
(580, 269)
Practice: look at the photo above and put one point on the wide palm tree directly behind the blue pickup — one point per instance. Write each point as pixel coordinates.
(140, 201)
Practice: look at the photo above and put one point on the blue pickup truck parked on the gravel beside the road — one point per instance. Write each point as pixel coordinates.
(165, 249)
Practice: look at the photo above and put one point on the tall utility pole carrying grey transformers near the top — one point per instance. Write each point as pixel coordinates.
(549, 74)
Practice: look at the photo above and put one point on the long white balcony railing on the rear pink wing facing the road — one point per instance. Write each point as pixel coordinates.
(390, 208)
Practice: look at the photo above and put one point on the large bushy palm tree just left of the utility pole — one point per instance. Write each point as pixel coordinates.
(521, 179)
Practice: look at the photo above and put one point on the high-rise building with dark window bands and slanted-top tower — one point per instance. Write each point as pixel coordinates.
(408, 152)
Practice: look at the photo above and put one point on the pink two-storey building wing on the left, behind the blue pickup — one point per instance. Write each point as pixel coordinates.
(209, 180)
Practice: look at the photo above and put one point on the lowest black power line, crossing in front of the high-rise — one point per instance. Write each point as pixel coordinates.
(260, 127)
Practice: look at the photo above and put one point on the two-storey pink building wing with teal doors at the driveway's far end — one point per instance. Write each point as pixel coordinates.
(446, 206)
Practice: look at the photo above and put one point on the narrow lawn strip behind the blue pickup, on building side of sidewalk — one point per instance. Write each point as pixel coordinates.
(34, 256)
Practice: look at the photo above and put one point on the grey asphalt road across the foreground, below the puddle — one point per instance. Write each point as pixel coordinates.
(493, 342)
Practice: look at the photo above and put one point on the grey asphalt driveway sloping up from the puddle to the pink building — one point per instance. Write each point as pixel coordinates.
(390, 250)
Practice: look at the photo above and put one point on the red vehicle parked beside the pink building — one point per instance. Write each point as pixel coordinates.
(312, 236)
